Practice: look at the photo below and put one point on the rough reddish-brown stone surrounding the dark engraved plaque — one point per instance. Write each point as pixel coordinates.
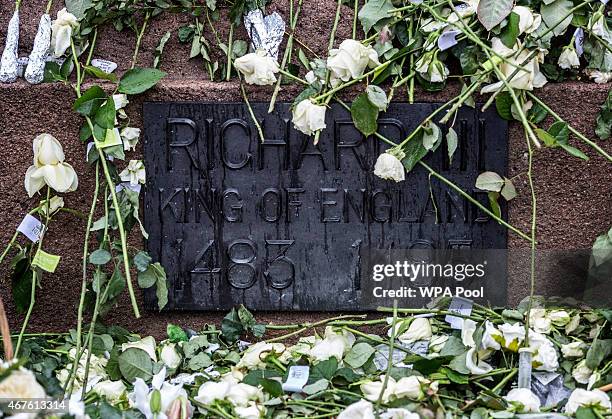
(574, 197)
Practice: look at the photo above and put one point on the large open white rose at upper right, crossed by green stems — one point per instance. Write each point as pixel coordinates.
(527, 78)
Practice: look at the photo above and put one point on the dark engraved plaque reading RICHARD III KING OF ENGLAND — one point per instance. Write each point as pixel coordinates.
(282, 225)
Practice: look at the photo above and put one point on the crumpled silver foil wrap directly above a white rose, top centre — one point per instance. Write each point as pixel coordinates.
(265, 32)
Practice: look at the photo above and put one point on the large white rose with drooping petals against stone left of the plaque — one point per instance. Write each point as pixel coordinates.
(49, 167)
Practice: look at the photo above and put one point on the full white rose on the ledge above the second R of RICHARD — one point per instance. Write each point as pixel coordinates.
(351, 59)
